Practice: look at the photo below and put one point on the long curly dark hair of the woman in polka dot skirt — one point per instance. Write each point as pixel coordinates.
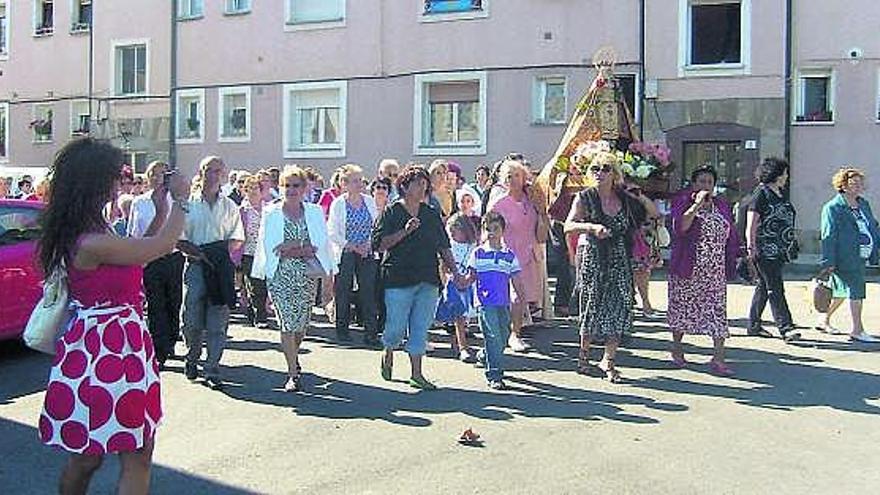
(83, 178)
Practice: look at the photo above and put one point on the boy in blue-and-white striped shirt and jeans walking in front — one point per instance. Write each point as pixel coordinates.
(495, 268)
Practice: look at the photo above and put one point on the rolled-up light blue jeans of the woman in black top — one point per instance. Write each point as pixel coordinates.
(409, 312)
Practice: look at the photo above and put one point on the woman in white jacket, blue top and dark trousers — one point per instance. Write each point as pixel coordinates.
(351, 220)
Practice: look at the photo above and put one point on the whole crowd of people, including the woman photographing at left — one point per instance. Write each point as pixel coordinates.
(398, 252)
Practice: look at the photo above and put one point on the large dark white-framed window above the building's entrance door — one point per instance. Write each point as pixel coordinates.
(715, 34)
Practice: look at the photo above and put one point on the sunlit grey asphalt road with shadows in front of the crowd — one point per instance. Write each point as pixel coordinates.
(802, 418)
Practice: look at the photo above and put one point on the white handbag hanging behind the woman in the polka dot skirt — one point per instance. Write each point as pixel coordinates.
(51, 315)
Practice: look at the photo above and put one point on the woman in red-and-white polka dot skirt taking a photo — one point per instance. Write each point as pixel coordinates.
(103, 394)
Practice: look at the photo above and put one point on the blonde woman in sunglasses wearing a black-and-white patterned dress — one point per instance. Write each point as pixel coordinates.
(608, 215)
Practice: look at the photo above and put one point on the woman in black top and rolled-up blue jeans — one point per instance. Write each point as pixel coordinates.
(411, 235)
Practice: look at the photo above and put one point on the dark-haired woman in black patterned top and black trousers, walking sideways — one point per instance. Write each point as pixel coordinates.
(772, 242)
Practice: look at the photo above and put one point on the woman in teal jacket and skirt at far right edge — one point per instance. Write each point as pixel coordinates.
(850, 238)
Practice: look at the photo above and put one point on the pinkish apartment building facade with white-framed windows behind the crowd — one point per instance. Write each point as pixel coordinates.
(323, 82)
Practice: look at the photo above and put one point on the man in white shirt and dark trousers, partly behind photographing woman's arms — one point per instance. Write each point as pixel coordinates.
(163, 276)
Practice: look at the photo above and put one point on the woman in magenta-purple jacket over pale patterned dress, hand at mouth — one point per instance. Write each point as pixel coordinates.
(705, 247)
